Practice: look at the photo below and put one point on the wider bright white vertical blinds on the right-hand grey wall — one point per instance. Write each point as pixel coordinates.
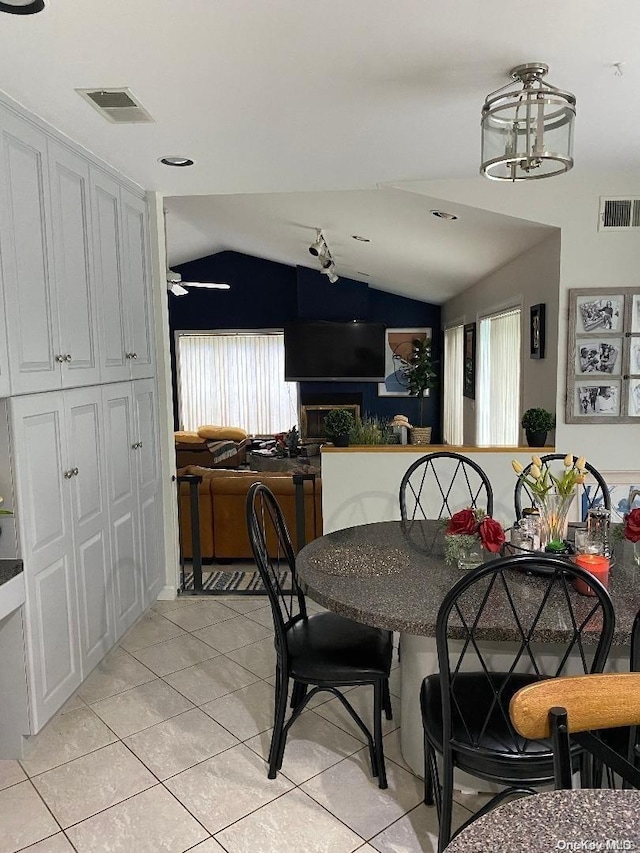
(499, 386)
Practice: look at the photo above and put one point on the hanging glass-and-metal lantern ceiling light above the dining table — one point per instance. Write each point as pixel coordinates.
(527, 133)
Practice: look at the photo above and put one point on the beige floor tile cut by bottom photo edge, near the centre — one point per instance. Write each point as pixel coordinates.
(292, 822)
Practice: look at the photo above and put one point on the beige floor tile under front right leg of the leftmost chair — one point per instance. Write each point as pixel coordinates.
(351, 793)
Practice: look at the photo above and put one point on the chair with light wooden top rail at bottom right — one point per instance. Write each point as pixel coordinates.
(581, 710)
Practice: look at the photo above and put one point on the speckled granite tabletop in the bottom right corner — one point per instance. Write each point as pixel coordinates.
(557, 820)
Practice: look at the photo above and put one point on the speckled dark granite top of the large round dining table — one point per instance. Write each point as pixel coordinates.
(392, 575)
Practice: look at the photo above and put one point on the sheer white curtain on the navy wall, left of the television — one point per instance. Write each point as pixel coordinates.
(235, 380)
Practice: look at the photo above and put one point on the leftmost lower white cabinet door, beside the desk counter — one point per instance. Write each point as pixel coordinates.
(44, 520)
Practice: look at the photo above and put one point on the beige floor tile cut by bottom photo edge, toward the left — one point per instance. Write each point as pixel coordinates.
(150, 822)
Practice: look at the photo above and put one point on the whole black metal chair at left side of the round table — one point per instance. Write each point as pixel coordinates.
(323, 650)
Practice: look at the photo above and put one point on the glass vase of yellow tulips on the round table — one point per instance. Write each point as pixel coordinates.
(553, 495)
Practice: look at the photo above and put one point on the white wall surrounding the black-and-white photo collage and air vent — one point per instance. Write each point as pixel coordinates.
(588, 258)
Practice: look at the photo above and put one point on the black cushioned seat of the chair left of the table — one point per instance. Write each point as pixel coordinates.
(327, 647)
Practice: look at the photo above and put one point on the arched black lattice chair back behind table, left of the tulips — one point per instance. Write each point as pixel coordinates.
(443, 483)
